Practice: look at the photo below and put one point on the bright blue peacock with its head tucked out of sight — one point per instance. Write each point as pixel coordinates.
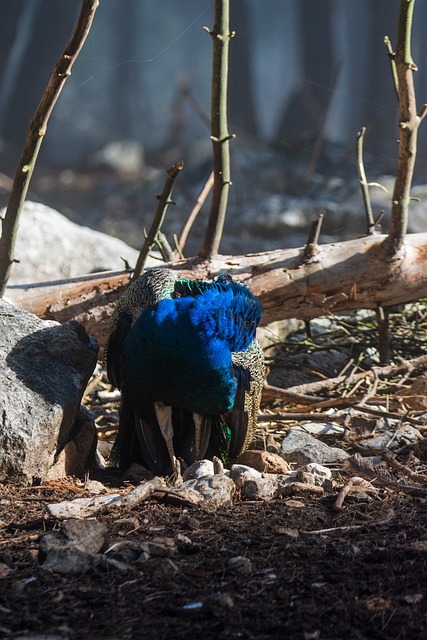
(184, 355)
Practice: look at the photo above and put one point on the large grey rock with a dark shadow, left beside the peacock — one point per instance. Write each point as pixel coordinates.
(44, 370)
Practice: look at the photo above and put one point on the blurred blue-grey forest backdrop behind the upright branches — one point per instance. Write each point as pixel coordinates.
(139, 51)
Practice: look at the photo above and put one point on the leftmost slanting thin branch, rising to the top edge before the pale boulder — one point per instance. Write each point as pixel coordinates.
(35, 136)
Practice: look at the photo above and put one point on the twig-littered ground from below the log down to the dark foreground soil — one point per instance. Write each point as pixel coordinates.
(300, 565)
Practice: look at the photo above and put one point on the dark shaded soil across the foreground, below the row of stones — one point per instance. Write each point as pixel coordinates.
(314, 573)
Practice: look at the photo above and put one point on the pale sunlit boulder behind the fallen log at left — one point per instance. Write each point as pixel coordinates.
(51, 247)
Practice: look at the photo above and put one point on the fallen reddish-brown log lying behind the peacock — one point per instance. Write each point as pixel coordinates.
(340, 276)
